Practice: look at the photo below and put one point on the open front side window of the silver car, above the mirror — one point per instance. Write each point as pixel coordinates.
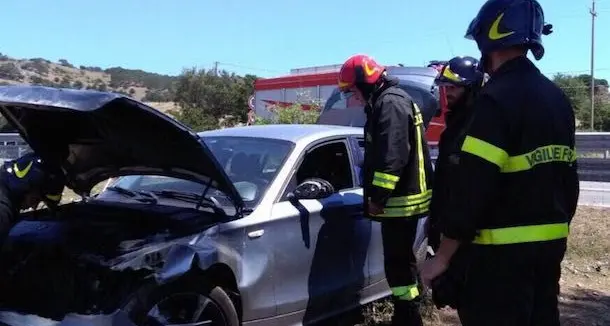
(329, 162)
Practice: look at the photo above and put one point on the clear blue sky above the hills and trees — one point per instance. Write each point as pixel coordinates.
(269, 37)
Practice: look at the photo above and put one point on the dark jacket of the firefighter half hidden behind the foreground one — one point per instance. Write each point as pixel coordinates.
(456, 123)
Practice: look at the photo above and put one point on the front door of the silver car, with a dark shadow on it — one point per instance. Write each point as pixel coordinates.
(320, 248)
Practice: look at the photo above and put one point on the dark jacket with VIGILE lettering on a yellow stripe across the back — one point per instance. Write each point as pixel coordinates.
(516, 180)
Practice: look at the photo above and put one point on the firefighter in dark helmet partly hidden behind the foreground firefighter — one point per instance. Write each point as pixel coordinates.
(461, 79)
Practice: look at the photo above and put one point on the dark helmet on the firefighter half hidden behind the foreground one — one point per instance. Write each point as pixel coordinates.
(461, 71)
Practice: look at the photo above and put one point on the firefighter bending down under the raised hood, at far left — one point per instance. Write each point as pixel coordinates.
(24, 183)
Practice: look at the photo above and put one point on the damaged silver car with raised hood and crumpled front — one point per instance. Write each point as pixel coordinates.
(226, 227)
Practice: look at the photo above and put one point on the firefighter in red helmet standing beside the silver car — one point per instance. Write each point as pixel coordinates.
(397, 175)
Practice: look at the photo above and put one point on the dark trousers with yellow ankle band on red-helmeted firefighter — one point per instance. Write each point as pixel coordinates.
(401, 269)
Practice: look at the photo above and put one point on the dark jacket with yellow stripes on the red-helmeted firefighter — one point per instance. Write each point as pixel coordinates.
(397, 166)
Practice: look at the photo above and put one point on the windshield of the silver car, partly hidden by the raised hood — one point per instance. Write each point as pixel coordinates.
(251, 164)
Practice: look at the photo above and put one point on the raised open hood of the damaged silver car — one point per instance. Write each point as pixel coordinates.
(95, 135)
